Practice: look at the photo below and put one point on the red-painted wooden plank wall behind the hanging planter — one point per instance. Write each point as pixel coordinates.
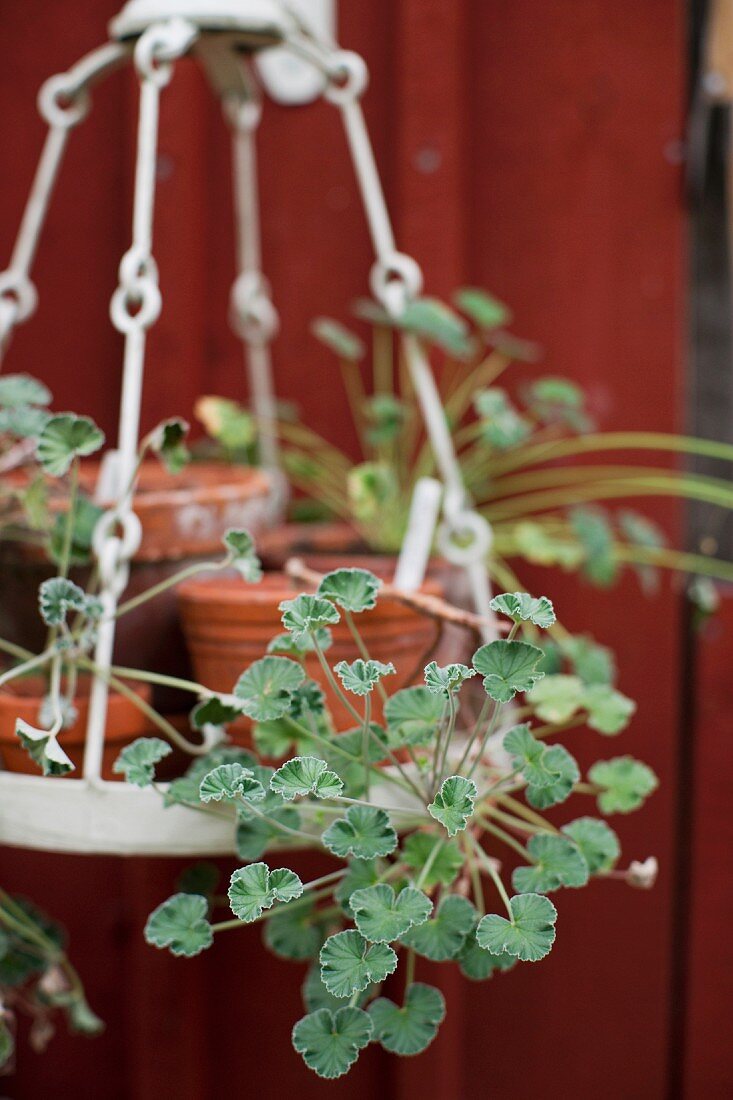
(528, 147)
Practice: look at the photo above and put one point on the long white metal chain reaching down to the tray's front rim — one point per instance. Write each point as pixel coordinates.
(136, 306)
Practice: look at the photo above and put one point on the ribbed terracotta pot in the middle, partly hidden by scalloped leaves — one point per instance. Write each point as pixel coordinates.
(228, 626)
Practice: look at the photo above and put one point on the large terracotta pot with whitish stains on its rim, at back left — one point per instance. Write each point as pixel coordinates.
(184, 519)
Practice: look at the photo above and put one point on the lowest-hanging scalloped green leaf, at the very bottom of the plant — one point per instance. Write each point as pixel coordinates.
(330, 1042)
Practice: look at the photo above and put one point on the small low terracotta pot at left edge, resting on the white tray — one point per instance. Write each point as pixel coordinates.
(21, 699)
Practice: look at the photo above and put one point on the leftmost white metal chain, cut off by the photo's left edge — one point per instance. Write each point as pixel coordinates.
(64, 103)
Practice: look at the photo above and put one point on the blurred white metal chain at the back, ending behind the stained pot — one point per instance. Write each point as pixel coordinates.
(254, 315)
